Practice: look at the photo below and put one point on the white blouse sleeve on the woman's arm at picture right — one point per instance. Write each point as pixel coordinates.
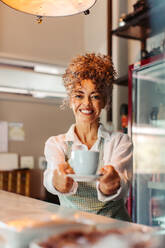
(119, 154)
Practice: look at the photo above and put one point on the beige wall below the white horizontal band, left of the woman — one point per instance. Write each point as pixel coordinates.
(41, 119)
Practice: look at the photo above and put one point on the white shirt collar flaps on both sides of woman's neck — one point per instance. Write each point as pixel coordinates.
(71, 135)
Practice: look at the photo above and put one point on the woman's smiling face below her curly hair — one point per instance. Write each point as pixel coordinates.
(86, 102)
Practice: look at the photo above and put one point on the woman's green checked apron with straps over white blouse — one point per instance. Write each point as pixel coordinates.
(86, 198)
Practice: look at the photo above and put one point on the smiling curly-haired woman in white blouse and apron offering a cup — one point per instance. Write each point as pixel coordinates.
(88, 81)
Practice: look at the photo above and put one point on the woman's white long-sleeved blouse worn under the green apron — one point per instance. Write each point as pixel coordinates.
(117, 152)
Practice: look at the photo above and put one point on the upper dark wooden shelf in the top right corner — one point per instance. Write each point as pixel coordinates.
(144, 25)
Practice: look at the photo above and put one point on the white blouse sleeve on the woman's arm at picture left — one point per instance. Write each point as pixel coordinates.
(54, 155)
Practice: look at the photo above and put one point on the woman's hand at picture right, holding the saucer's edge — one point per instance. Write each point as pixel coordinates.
(110, 181)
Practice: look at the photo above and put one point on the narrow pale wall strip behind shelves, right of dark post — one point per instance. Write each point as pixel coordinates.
(120, 59)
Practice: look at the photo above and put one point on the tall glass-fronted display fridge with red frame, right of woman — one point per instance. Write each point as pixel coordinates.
(147, 128)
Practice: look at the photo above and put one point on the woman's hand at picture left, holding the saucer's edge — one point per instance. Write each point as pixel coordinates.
(61, 181)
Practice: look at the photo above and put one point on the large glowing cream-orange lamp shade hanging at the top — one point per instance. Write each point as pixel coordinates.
(50, 7)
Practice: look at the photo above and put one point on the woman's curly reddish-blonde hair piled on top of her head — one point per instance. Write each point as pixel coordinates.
(99, 68)
